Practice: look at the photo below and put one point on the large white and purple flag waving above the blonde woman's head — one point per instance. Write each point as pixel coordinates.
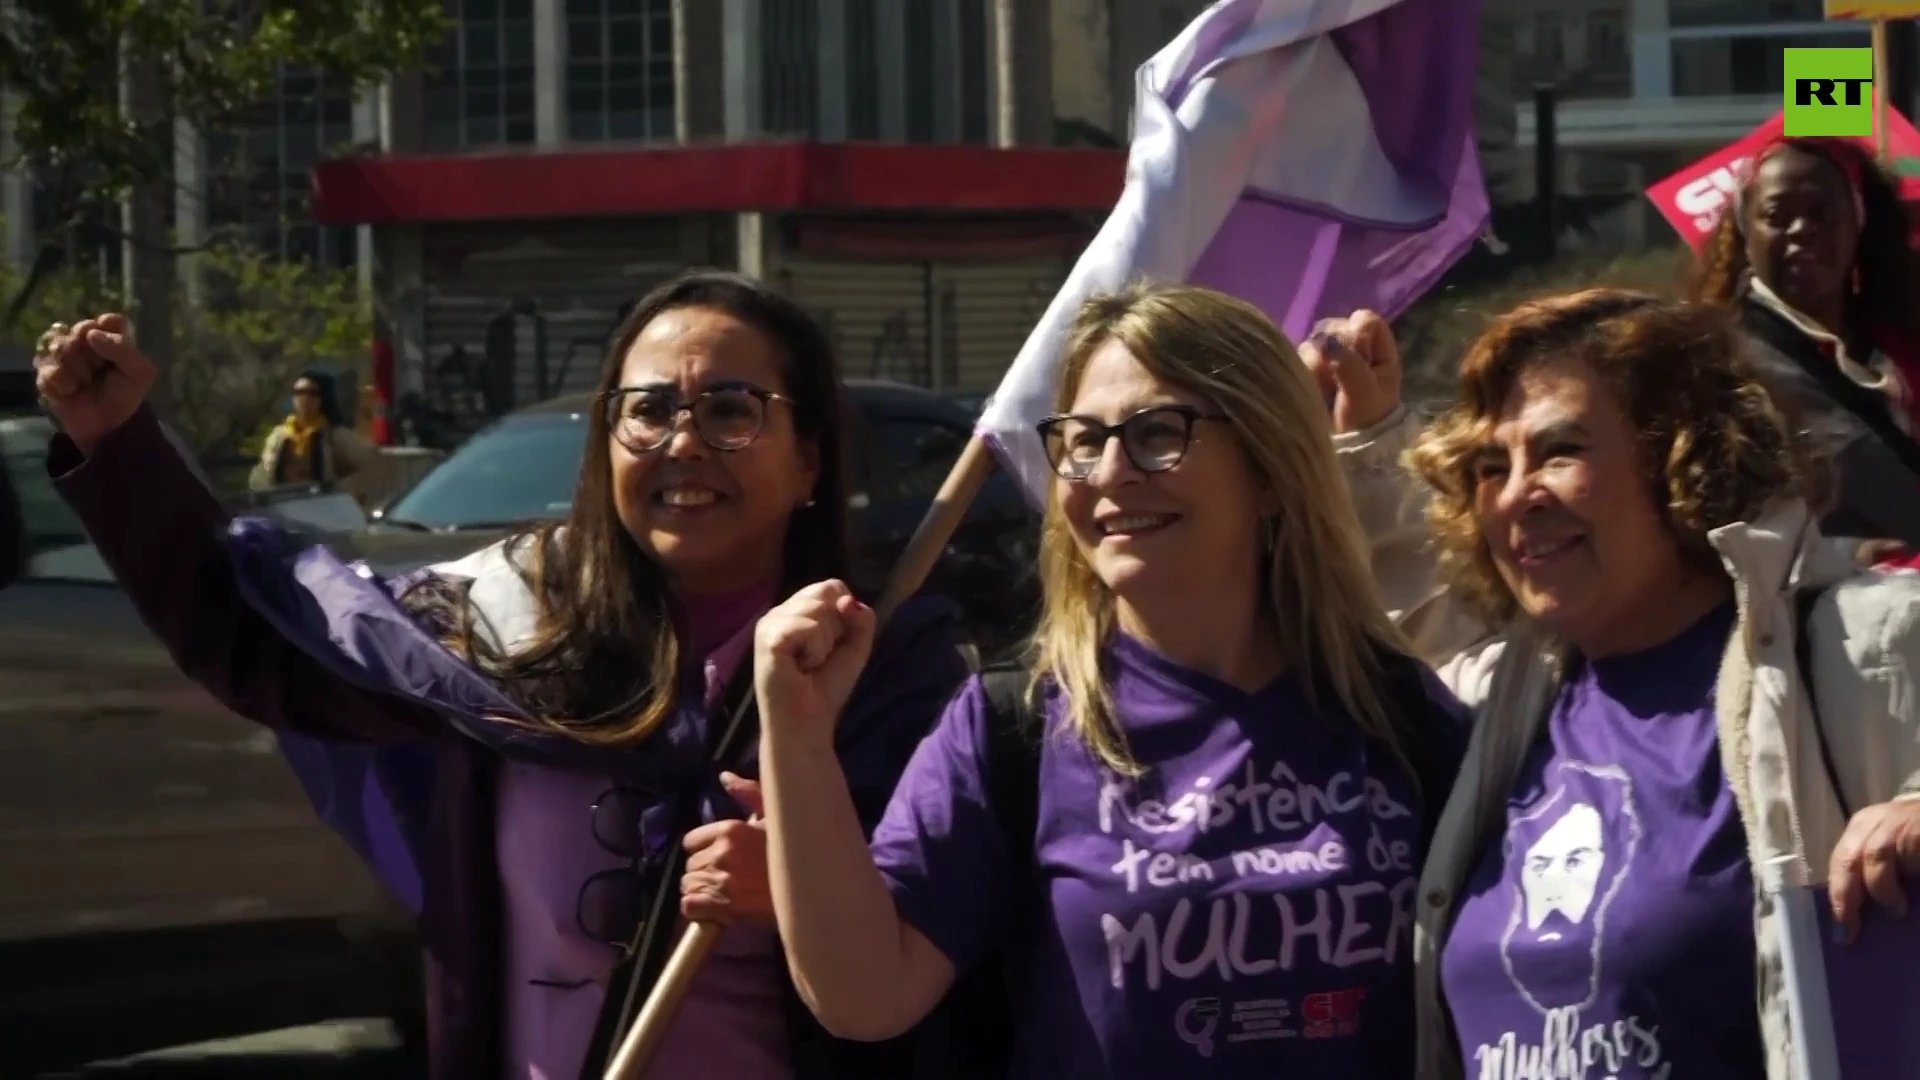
(1310, 157)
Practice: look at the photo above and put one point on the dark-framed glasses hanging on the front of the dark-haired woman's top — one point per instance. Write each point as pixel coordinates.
(613, 904)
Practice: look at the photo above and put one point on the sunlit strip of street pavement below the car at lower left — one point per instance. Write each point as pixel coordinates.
(360, 1050)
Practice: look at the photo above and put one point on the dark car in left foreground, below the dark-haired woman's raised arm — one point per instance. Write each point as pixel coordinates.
(164, 877)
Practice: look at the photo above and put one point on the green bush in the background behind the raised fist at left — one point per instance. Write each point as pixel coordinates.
(237, 353)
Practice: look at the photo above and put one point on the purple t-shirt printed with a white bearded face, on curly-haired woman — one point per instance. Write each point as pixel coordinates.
(1612, 933)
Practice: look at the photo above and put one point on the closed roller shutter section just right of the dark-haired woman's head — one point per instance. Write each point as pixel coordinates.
(876, 314)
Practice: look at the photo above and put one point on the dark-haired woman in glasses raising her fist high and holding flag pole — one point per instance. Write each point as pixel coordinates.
(581, 685)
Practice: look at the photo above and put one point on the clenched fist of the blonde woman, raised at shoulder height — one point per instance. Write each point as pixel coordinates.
(807, 654)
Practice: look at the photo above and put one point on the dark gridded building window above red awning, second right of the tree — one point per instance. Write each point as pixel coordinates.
(619, 70)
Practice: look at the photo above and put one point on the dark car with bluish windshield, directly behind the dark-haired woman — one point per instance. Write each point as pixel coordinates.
(905, 441)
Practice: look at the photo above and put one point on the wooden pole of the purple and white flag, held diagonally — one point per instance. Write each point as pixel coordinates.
(917, 562)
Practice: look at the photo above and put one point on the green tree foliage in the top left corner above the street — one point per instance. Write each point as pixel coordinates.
(222, 59)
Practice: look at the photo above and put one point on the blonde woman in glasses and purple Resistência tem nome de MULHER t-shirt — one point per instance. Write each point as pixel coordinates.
(1226, 802)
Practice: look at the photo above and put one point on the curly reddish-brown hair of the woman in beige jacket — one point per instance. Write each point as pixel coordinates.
(1716, 447)
